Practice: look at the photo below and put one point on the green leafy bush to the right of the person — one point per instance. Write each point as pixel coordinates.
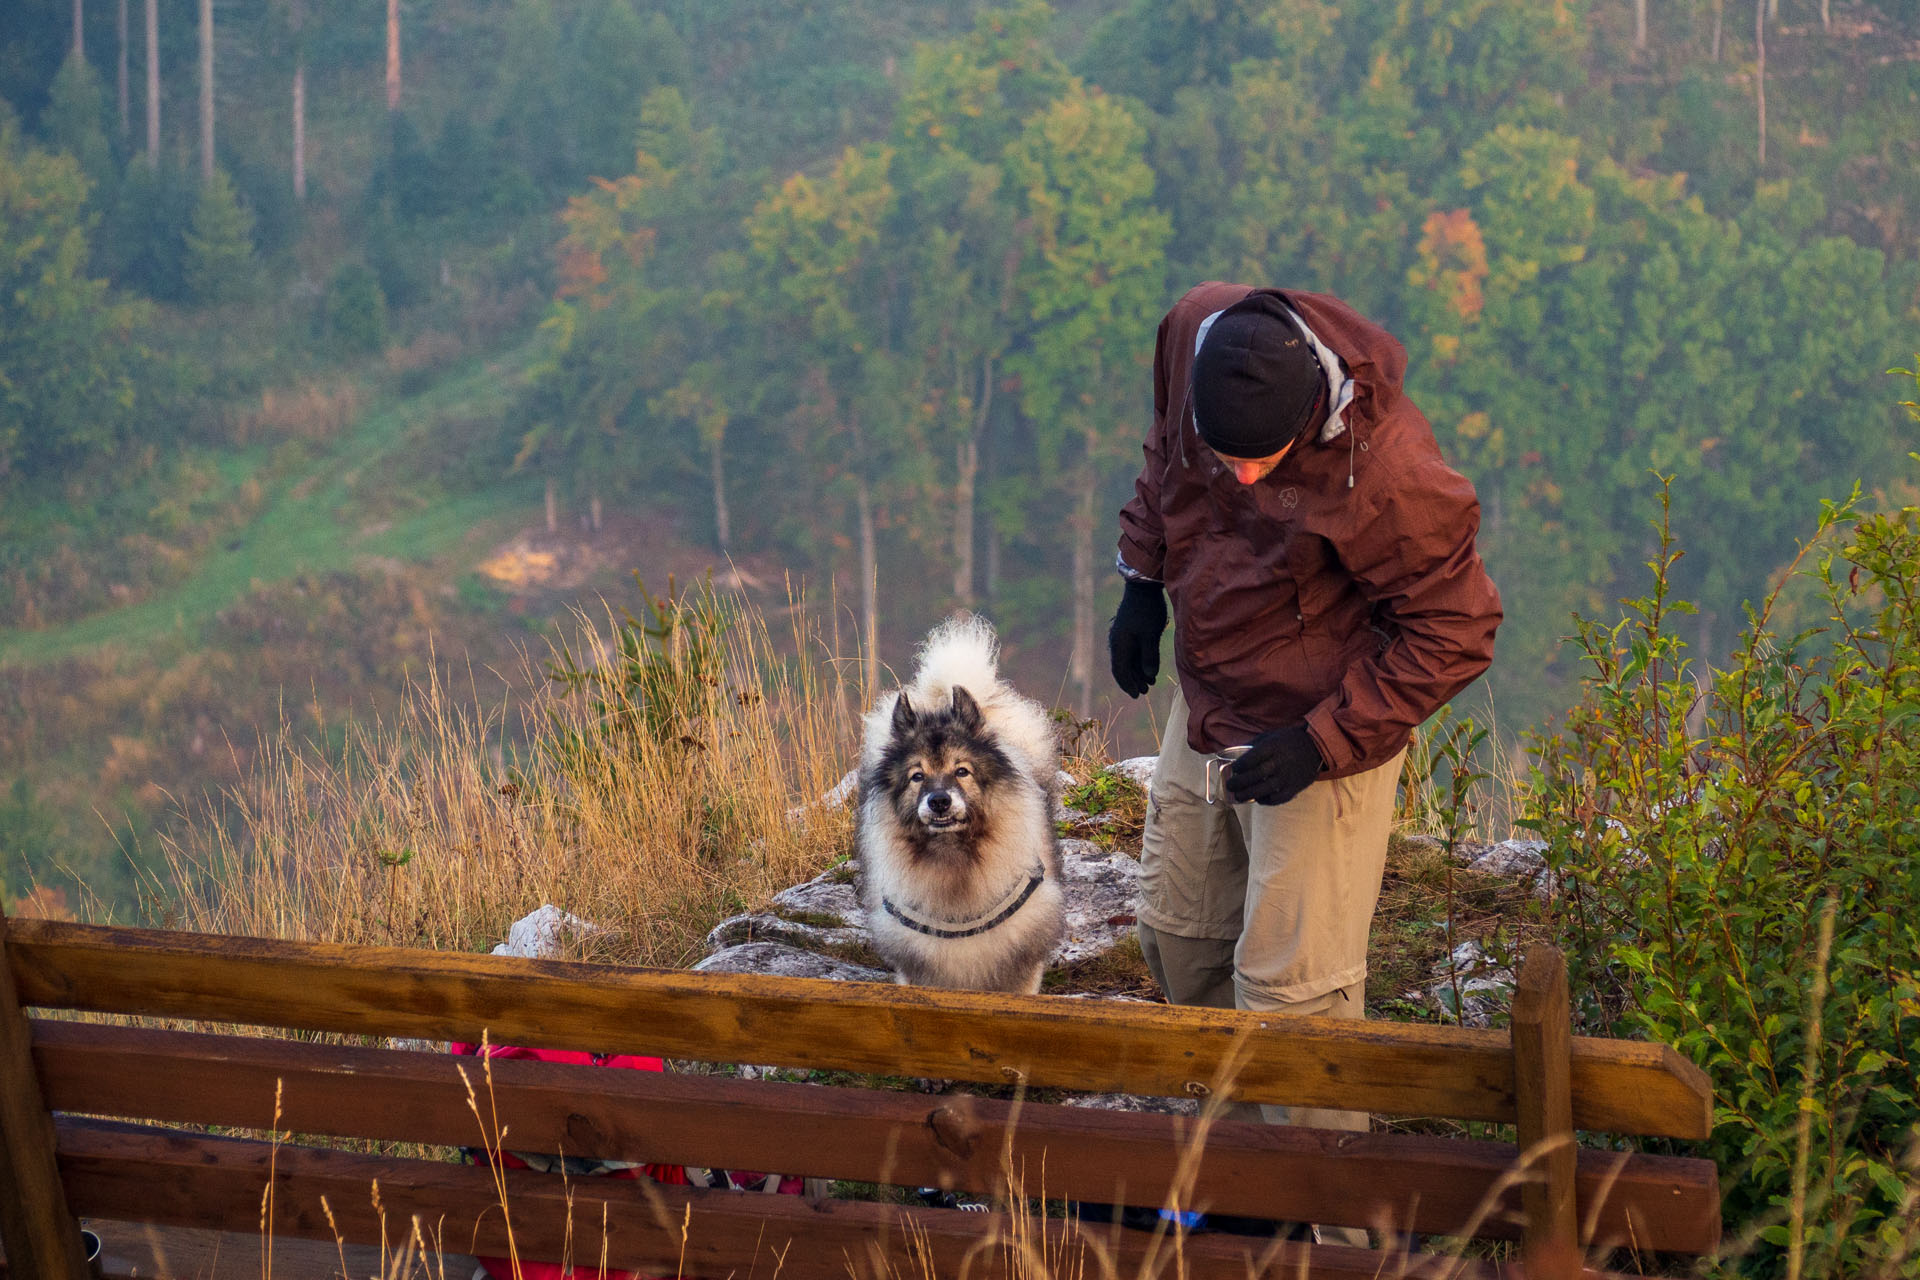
(1708, 841)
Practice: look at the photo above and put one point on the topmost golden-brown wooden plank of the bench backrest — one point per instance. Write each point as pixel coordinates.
(1383, 1068)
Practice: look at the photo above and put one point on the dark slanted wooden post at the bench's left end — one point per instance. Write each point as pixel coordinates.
(41, 1235)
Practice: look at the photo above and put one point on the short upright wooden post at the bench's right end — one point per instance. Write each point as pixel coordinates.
(1543, 1097)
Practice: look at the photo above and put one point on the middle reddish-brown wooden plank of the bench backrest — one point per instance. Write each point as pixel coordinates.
(1426, 1185)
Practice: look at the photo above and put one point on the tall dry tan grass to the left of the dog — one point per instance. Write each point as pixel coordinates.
(650, 809)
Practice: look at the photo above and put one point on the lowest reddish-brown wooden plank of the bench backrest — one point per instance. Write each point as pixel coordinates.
(195, 1181)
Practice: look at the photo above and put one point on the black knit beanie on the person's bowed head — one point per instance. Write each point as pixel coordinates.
(1257, 381)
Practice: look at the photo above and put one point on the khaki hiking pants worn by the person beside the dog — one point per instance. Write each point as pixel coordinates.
(1264, 907)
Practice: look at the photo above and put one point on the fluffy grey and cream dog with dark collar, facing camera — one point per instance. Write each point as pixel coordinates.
(959, 855)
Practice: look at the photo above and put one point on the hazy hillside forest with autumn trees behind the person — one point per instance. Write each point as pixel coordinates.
(867, 293)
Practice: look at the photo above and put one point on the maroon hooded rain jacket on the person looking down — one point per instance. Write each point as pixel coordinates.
(1343, 590)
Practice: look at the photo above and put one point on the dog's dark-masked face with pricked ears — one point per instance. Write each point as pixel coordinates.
(940, 772)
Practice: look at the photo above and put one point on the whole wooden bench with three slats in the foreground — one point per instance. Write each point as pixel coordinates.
(91, 1116)
